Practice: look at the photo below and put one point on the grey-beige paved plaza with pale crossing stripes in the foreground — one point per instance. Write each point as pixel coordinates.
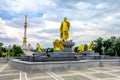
(96, 73)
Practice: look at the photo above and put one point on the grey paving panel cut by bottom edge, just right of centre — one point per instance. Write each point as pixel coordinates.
(75, 77)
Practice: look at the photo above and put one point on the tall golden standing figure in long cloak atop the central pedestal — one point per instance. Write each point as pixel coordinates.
(64, 29)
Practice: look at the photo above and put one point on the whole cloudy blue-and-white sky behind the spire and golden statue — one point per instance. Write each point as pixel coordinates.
(89, 20)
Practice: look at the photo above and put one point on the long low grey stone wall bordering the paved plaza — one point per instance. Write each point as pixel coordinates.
(61, 65)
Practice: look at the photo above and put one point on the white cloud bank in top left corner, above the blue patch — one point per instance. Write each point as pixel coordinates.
(26, 5)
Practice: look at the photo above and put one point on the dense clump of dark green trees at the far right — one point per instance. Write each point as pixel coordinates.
(111, 46)
